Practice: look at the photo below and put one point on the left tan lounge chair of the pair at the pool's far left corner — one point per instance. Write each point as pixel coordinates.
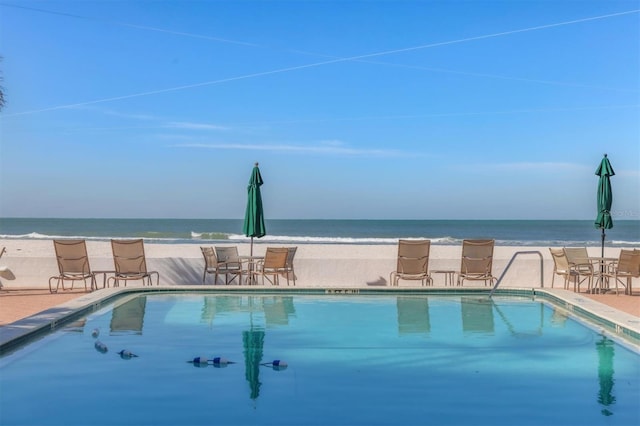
(73, 264)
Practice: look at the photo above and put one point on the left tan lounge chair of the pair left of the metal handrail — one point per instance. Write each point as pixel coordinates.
(413, 262)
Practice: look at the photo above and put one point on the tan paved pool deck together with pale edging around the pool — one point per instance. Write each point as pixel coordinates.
(25, 312)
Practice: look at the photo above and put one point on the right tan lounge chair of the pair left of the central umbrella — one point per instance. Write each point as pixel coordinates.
(130, 263)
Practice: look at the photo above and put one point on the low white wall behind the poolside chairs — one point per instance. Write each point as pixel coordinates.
(316, 265)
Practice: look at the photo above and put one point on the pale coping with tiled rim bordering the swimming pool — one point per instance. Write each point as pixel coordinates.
(608, 320)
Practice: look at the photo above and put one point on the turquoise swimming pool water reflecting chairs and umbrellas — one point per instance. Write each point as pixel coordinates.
(358, 359)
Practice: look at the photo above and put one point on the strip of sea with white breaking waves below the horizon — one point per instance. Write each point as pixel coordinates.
(625, 233)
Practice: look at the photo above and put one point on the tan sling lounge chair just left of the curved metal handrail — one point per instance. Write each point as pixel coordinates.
(476, 261)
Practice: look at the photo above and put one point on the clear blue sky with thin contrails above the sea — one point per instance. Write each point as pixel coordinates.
(354, 109)
